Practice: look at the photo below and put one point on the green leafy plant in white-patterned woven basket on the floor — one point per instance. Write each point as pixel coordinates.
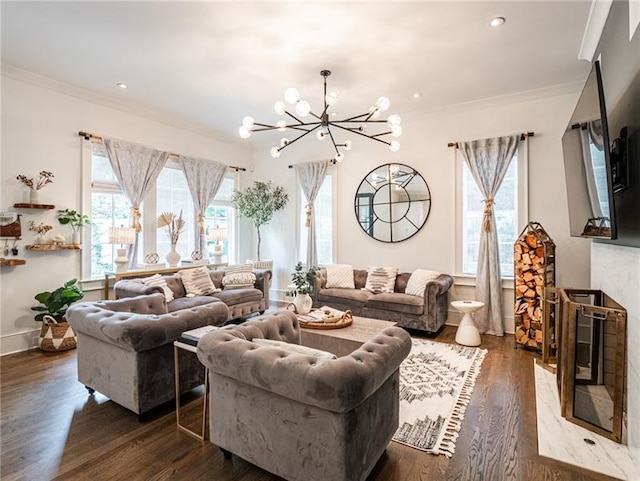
(56, 334)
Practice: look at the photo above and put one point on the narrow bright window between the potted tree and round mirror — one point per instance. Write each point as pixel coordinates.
(324, 215)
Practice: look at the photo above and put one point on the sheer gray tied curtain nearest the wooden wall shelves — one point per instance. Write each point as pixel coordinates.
(136, 167)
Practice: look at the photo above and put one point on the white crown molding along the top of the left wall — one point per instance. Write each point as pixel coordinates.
(15, 73)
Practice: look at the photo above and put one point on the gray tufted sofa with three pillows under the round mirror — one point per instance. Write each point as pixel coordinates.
(427, 313)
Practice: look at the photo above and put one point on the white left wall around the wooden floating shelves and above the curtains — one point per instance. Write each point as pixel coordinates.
(39, 132)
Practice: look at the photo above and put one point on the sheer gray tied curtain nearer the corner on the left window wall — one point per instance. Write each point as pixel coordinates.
(204, 178)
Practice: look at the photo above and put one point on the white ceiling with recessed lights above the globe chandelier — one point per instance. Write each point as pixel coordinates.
(212, 63)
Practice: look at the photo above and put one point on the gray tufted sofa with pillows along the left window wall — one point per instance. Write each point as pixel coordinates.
(241, 302)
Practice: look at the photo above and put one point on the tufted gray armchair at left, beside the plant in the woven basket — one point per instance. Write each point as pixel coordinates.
(125, 348)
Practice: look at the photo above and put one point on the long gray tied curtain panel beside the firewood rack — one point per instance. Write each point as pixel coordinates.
(488, 161)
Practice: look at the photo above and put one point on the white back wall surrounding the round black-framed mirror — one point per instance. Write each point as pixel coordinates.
(424, 147)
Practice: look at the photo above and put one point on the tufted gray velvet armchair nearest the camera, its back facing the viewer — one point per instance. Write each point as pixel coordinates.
(298, 416)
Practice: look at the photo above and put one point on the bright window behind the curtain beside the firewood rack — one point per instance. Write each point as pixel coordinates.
(509, 211)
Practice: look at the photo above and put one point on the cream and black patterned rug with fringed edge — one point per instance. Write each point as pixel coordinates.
(436, 382)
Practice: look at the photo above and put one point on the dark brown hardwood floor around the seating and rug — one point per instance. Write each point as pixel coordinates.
(51, 429)
